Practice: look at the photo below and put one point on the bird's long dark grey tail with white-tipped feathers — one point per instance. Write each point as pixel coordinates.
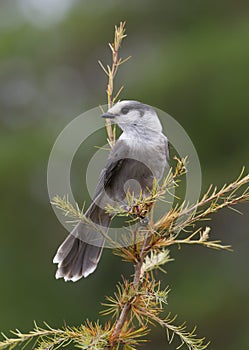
(79, 254)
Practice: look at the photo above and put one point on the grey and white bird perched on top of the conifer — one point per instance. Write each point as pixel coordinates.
(139, 156)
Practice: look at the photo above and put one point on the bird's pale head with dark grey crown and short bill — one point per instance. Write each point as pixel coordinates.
(134, 114)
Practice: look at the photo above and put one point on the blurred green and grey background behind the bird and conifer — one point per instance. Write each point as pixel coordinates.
(189, 58)
